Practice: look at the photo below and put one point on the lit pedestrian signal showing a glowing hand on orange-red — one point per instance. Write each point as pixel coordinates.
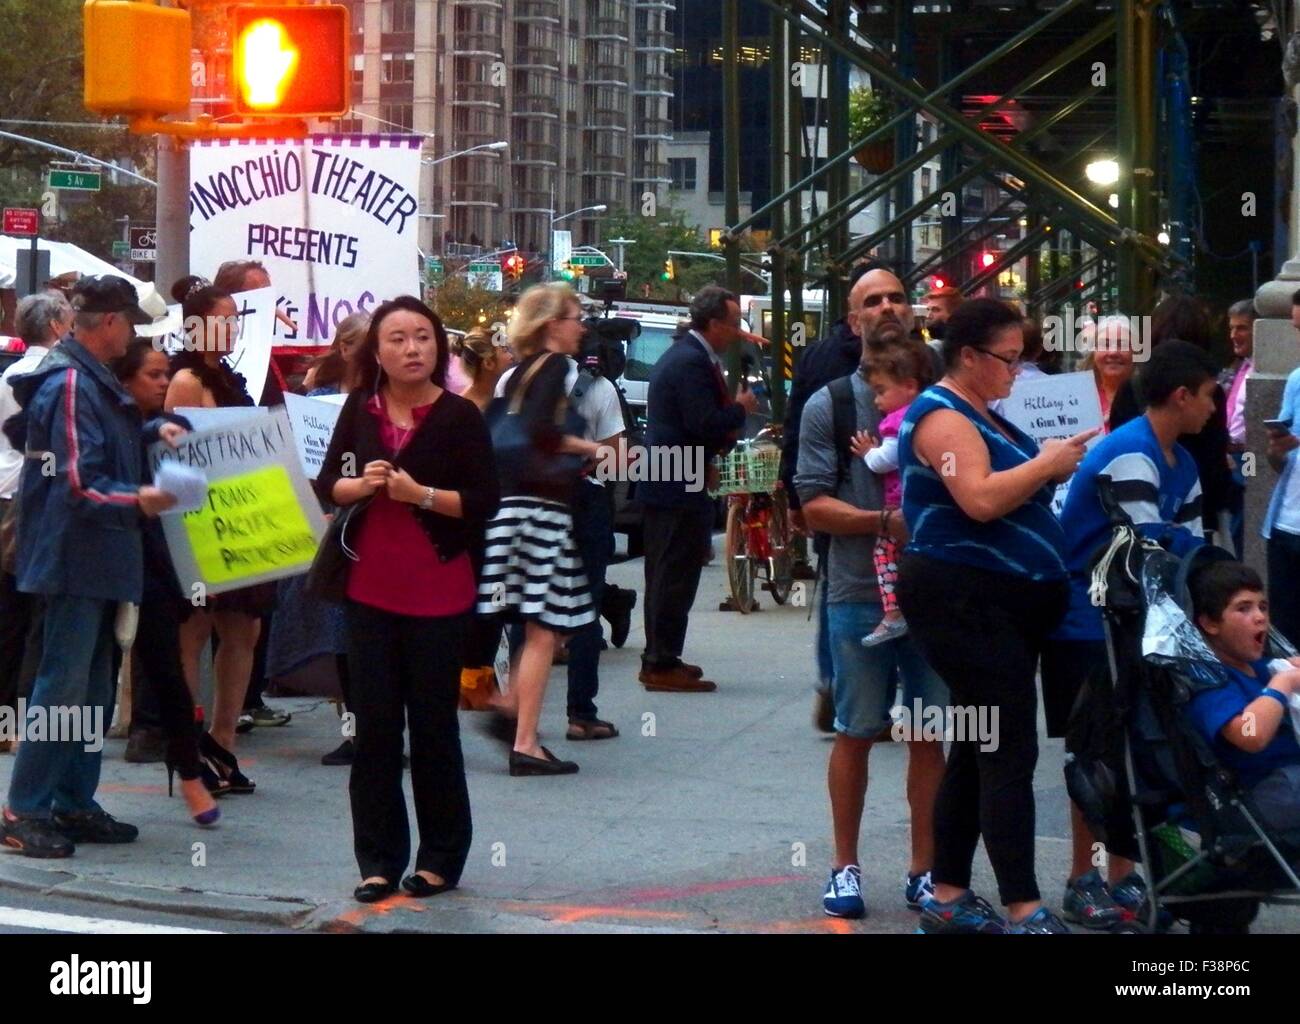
(292, 62)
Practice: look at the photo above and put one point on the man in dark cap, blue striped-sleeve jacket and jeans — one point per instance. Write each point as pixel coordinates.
(80, 506)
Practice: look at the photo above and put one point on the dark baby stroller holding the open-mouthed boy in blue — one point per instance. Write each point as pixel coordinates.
(1150, 786)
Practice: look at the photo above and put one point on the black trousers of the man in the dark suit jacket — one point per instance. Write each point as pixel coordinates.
(677, 545)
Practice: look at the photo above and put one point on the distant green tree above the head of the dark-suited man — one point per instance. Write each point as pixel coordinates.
(656, 238)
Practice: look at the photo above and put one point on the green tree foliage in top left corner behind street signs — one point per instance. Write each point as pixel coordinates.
(42, 83)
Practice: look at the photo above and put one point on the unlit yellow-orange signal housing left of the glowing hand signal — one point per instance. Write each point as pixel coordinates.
(137, 58)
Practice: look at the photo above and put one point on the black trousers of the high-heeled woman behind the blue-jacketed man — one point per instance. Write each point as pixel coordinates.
(162, 682)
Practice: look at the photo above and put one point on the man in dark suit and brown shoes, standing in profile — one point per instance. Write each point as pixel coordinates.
(690, 407)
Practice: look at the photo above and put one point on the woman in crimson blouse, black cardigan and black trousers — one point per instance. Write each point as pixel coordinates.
(421, 459)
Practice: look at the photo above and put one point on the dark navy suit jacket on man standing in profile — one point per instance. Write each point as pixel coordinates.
(687, 409)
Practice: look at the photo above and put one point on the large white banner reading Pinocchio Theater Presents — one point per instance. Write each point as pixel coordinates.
(335, 219)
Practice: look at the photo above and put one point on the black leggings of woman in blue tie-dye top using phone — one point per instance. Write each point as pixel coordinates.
(982, 632)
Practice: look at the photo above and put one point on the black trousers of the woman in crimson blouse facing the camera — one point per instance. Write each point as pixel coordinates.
(408, 671)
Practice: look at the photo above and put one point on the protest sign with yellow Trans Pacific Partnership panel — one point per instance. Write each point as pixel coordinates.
(261, 520)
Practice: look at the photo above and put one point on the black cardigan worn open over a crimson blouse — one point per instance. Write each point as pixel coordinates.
(449, 452)
